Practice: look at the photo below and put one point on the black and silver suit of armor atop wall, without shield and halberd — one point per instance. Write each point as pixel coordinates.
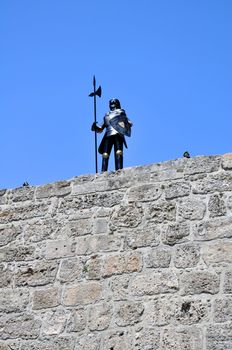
(112, 137)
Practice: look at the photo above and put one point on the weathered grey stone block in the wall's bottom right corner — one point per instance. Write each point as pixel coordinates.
(219, 337)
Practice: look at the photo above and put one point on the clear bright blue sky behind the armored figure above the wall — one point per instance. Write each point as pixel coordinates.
(167, 61)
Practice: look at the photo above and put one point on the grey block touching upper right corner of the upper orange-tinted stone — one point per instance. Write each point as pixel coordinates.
(146, 237)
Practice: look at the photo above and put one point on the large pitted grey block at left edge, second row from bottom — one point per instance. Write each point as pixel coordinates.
(19, 326)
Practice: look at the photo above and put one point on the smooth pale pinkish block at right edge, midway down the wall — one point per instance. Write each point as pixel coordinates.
(218, 252)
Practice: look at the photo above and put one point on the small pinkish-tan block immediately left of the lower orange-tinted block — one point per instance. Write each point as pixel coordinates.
(46, 298)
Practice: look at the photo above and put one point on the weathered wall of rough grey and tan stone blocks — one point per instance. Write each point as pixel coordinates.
(139, 259)
